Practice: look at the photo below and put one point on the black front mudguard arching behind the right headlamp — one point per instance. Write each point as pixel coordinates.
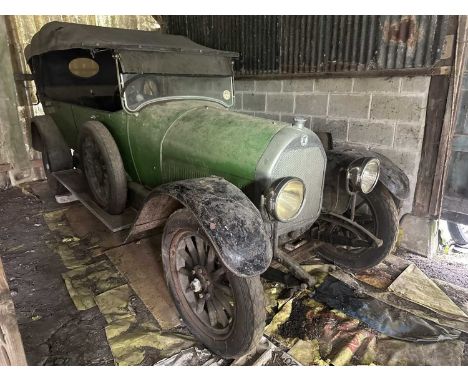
(336, 198)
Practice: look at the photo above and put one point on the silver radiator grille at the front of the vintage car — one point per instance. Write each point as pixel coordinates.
(307, 164)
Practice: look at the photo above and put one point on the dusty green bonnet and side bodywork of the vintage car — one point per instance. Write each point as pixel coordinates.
(177, 140)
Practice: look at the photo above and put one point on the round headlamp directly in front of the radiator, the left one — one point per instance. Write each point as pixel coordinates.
(285, 198)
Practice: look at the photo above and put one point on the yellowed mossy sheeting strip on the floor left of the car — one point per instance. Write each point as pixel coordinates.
(134, 335)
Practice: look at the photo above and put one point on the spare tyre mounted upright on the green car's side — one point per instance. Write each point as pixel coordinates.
(103, 167)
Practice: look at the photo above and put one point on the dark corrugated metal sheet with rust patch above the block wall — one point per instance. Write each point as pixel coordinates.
(315, 44)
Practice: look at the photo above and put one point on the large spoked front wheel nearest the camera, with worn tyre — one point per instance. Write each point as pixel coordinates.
(225, 312)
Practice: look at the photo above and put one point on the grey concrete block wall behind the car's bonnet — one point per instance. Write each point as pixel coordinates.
(386, 115)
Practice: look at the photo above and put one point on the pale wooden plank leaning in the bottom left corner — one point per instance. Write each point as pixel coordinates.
(11, 346)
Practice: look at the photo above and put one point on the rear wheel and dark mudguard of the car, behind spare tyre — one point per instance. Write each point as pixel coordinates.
(56, 155)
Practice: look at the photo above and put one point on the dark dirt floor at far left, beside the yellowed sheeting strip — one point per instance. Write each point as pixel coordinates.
(53, 331)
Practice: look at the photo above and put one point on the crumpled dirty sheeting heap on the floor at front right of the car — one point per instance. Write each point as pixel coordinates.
(348, 323)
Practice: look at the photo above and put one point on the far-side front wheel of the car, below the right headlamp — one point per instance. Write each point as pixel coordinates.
(377, 213)
